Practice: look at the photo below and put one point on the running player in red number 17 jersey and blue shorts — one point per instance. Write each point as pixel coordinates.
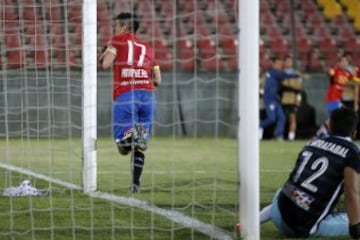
(135, 73)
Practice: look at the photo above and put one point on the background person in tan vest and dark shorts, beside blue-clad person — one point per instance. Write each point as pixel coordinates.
(291, 96)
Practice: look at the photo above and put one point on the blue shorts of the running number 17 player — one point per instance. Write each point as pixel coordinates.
(133, 107)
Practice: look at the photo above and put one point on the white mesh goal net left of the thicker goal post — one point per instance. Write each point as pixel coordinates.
(189, 187)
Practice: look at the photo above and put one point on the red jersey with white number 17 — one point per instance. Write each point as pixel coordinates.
(133, 64)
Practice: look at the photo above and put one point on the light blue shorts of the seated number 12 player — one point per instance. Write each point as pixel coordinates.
(333, 225)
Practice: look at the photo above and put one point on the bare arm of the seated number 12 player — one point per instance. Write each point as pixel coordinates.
(351, 193)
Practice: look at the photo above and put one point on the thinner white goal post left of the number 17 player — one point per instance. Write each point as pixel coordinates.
(89, 79)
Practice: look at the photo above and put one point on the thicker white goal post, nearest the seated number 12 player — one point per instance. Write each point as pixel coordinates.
(248, 104)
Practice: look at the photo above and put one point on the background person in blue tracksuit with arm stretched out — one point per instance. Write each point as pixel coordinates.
(271, 97)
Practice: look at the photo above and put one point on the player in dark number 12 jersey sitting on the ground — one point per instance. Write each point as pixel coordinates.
(324, 170)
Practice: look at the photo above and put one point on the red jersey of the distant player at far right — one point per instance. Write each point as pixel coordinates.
(338, 78)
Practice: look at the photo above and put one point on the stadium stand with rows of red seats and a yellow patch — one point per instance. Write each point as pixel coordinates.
(204, 36)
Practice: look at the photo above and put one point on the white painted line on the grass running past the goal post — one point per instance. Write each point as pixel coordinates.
(207, 229)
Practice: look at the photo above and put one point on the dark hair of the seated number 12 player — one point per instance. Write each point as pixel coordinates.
(343, 122)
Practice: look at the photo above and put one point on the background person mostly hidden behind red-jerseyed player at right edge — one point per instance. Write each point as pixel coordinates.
(350, 96)
